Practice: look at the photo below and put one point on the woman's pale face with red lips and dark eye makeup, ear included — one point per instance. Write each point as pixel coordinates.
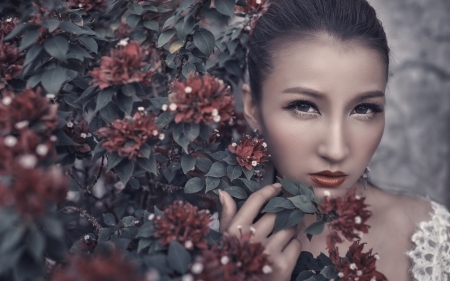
(322, 109)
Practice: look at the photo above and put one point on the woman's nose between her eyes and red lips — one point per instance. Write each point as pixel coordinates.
(333, 145)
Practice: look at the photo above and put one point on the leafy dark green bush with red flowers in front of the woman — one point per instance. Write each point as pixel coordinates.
(117, 132)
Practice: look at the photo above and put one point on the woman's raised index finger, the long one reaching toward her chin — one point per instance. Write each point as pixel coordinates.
(253, 205)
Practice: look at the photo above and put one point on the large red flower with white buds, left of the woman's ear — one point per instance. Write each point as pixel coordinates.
(201, 99)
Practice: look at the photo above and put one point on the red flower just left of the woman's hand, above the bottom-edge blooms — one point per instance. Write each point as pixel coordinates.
(184, 223)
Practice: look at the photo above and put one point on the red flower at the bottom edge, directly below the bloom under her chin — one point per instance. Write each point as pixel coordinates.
(358, 265)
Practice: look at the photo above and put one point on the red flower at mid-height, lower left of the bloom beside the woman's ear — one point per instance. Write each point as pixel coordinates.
(126, 137)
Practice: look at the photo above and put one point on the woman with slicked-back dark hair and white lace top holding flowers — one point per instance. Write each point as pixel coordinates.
(318, 72)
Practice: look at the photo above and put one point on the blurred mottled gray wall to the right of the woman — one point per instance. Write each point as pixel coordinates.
(414, 155)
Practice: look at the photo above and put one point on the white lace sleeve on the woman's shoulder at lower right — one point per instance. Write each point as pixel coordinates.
(431, 252)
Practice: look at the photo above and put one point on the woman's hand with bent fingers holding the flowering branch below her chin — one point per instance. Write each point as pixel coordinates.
(283, 247)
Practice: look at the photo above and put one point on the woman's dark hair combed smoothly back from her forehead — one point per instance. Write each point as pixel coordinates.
(288, 20)
